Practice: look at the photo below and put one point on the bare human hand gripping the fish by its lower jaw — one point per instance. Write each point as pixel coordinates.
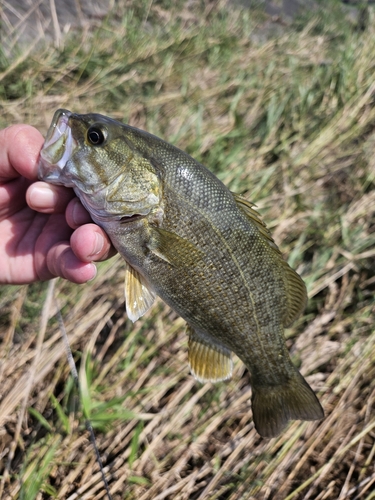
(44, 230)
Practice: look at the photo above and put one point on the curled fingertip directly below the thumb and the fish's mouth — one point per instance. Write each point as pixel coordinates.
(47, 198)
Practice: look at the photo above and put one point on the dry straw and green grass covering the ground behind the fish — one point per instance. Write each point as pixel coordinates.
(285, 117)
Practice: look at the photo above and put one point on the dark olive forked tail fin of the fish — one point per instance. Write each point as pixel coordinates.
(274, 405)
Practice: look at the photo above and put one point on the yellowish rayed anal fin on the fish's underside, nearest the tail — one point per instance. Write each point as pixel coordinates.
(208, 362)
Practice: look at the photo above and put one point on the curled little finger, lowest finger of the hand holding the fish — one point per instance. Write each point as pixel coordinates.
(62, 262)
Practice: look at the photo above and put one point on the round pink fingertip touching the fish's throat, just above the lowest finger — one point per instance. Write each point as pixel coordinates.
(90, 243)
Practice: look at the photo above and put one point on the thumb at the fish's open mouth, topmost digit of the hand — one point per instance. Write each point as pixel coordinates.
(19, 152)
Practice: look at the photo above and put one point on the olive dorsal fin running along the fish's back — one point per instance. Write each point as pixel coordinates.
(295, 288)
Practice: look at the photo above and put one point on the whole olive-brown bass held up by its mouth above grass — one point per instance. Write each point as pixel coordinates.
(203, 249)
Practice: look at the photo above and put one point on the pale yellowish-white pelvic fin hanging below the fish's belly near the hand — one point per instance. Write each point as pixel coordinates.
(139, 295)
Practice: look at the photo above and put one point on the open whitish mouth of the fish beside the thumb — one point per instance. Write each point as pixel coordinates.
(58, 148)
